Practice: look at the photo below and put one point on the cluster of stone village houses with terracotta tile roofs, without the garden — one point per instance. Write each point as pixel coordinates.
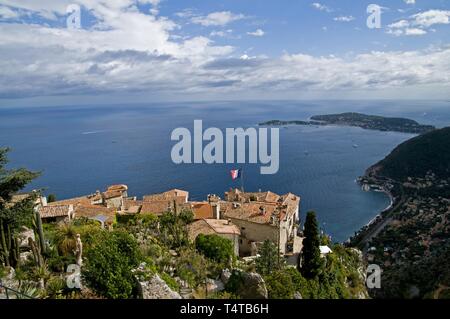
(247, 219)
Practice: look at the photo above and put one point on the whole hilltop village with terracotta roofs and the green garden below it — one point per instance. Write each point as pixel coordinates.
(108, 244)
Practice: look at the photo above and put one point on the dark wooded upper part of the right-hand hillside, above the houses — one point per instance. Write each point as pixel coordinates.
(416, 157)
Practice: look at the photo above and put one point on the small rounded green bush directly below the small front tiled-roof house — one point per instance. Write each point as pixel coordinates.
(215, 247)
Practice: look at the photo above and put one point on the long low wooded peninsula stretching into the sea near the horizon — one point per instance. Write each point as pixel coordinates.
(369, 122)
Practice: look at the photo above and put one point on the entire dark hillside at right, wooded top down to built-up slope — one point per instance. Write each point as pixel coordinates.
(414, 245)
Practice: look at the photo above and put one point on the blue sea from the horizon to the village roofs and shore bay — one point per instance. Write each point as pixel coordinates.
(84, 148)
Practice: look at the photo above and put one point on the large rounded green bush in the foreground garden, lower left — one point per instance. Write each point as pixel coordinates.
(109, 264)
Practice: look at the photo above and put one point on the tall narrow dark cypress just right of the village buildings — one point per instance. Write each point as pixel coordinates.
(311, 261)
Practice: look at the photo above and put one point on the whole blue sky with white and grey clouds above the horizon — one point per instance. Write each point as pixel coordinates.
(172, 50)
